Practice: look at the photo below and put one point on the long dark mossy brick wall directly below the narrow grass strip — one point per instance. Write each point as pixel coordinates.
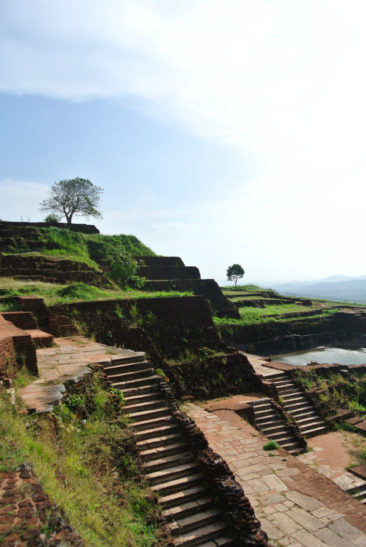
(173, 324)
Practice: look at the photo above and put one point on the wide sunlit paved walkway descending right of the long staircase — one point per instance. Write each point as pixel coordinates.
(296, 506)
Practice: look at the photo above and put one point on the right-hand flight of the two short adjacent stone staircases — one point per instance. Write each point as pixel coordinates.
(298, 406)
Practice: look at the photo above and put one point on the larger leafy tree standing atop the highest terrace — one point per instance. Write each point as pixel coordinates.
(73, 196)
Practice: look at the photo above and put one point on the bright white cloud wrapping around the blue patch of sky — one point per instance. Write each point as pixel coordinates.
(281, 80)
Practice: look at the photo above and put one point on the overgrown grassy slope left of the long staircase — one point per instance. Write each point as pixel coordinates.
(84, 458)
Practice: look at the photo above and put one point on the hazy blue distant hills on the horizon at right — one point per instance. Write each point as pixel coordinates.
(337, 287)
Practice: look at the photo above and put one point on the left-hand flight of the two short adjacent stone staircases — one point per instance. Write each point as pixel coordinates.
(274, 426)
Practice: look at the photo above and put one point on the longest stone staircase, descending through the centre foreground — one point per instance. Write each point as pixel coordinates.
(170, 467)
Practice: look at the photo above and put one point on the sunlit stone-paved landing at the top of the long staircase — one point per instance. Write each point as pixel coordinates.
(68, 360)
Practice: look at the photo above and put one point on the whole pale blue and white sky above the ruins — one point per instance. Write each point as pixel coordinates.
(222, 131)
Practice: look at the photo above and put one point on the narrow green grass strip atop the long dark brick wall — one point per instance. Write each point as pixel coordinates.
(75, 292)
